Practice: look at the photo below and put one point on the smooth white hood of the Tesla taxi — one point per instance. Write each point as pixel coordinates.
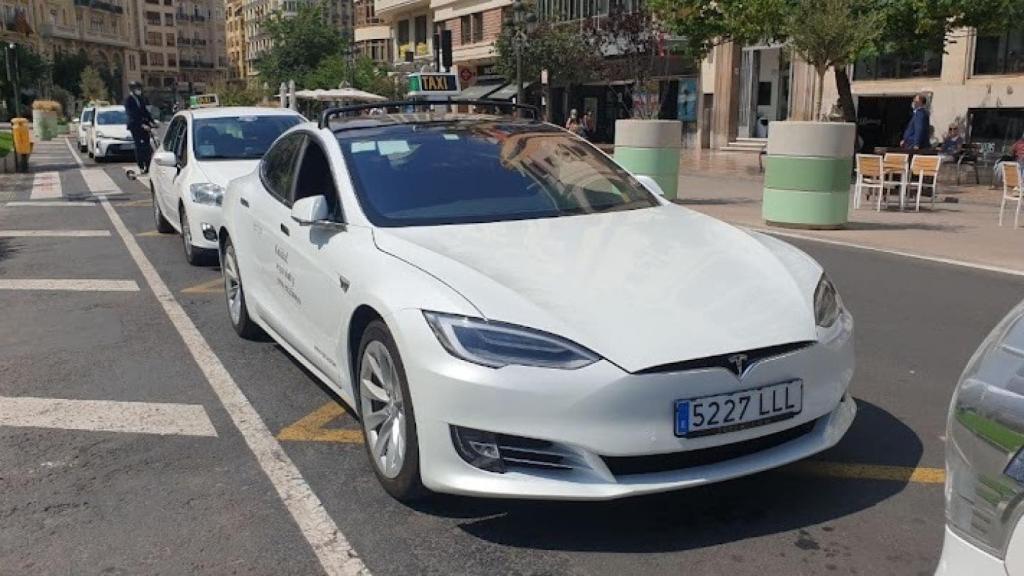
(643, 289)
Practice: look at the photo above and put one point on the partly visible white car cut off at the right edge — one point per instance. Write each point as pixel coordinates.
(986, 460)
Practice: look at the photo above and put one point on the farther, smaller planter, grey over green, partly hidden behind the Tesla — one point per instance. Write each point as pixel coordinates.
(651, 148)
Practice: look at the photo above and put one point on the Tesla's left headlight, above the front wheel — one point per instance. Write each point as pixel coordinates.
(497, 345)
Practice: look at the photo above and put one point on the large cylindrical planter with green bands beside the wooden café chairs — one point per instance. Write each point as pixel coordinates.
(807, 175)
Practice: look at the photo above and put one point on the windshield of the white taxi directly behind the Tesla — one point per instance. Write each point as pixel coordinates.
(237, 139)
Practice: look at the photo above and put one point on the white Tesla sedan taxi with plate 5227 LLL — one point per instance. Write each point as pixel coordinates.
(515, 315)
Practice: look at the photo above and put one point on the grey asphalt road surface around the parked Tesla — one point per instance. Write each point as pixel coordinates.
(87, 502)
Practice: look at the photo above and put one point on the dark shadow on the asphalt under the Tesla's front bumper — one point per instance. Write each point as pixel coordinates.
(772, 503)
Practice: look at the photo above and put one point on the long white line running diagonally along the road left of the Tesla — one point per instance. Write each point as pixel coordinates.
(335, 554)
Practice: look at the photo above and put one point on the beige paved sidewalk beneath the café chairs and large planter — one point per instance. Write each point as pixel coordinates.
(729, 186)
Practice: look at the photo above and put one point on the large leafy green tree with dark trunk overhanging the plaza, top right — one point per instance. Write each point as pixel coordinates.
(903, 26)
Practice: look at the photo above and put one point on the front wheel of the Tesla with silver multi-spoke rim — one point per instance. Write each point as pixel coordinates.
(388, 416)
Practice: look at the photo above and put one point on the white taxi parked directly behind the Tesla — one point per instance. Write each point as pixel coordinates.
(202, 150)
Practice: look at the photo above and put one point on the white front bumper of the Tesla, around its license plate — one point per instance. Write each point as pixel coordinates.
(601, 417)
